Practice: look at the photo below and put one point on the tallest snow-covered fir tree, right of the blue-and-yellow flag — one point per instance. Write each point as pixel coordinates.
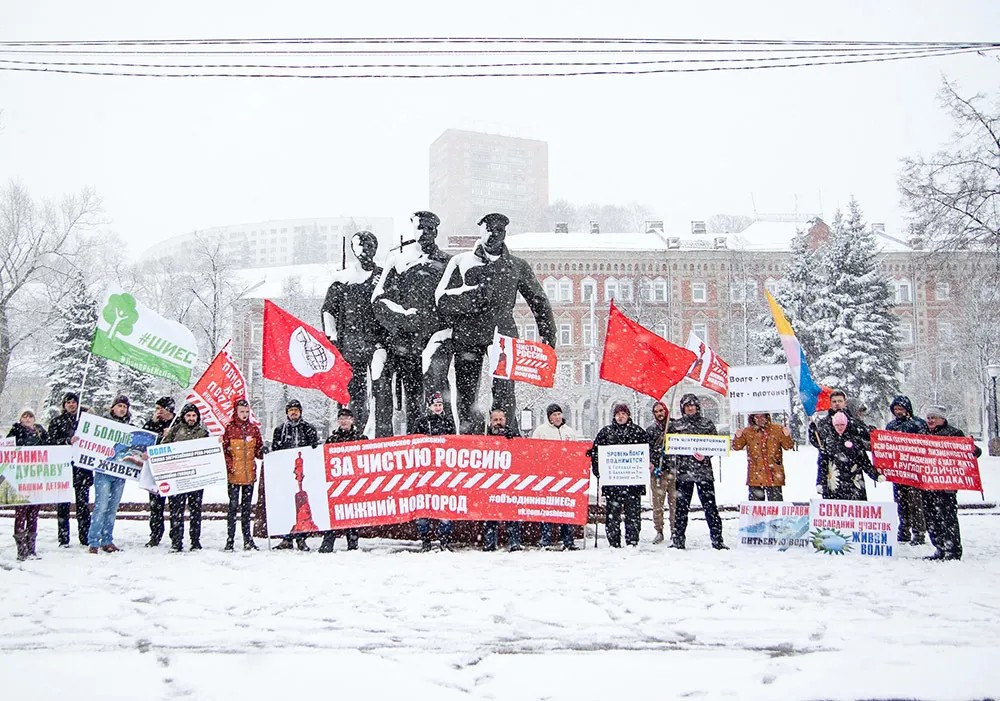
(854, 328)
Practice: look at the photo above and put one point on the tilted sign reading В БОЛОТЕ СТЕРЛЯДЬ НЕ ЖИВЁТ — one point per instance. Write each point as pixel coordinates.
(103, 445)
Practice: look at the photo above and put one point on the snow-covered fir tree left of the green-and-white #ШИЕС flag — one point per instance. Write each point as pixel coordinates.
(68, 358)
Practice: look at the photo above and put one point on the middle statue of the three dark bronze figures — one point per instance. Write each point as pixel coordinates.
(418, 343)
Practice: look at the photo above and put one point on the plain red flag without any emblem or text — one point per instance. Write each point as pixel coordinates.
(636, 357)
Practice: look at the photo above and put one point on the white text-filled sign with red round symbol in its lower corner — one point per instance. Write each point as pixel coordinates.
(187, 466)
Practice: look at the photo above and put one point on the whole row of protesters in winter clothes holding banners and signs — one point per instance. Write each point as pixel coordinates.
(841, 437)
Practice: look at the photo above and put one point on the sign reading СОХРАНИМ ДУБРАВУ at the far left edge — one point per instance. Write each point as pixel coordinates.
(41, 474)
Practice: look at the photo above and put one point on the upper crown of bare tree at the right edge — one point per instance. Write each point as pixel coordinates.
(953, 197)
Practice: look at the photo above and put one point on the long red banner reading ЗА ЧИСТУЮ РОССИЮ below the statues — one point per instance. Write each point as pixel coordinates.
(394, 480)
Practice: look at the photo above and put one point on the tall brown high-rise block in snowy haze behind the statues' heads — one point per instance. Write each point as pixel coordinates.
(472, 174)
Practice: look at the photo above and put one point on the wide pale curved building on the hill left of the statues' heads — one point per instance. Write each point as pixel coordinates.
(286, 241)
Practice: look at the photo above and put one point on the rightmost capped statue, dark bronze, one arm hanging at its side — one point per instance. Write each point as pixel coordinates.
(476, 295)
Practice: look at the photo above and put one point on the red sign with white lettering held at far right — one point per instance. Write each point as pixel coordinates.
(925, 461)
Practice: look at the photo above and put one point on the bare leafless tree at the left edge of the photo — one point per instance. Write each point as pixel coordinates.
(40, 243)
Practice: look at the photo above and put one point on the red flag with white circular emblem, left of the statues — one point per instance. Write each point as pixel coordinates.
(297, 354)
